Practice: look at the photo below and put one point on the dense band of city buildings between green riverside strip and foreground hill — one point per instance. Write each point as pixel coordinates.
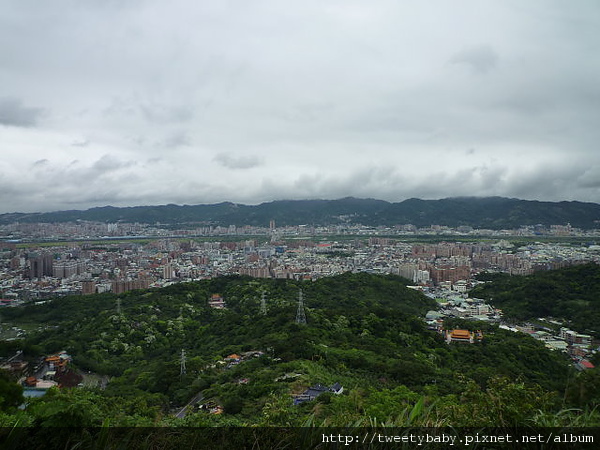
(36, 271)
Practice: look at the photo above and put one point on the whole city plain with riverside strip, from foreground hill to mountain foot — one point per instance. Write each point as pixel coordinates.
(44, 260)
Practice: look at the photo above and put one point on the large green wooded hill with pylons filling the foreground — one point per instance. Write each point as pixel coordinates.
(363, 331)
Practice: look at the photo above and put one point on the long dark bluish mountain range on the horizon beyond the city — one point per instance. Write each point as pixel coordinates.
(477, 212)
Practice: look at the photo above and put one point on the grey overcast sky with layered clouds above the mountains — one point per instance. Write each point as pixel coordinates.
(137, 102)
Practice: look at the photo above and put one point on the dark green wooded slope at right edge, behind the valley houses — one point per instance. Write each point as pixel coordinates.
(570, 294)
